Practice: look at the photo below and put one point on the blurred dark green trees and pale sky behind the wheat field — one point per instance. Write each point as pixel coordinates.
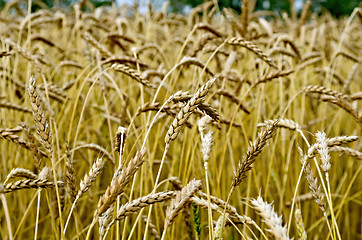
(337, 8)
